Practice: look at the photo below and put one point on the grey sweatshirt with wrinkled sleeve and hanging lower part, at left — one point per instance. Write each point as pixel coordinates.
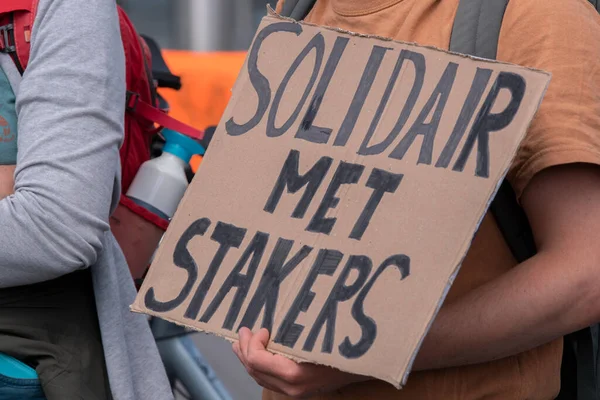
(70, 108)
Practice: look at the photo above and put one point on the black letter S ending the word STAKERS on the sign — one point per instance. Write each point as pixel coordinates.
(367, 324)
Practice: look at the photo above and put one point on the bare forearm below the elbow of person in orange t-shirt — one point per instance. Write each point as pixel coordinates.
(536, 302)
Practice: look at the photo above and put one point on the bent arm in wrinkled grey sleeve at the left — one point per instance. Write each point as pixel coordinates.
(70, 106)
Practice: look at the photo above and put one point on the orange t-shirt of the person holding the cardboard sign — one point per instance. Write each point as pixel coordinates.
(558, 36)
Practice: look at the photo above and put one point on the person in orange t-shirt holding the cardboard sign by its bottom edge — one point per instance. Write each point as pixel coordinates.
(499, 333)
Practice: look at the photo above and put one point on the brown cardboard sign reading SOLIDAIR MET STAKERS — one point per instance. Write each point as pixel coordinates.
(342, 190)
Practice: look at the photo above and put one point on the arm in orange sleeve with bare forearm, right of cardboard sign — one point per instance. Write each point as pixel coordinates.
(555, 292)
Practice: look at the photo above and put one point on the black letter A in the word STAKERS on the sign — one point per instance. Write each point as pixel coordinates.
(254, 253)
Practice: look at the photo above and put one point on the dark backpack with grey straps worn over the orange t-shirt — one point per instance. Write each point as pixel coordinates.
(476, 30)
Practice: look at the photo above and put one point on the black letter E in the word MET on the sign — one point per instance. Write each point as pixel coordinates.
(346, 173)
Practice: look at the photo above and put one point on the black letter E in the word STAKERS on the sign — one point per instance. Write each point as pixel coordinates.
(326, 263)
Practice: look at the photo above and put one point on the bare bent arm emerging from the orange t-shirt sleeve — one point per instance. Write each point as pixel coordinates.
(552, 294)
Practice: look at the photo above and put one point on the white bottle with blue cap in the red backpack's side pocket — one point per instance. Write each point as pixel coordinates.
(161, 182)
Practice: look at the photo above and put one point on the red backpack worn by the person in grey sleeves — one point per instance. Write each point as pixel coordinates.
(143, 118)
